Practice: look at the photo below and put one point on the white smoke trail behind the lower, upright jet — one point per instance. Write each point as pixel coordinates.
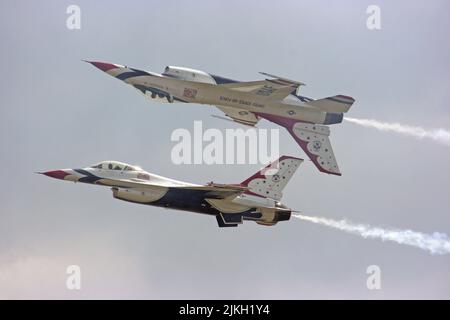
(436, 243)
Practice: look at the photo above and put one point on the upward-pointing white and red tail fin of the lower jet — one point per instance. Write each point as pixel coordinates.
(270, 181)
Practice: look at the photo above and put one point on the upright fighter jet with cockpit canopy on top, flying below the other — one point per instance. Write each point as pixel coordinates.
(257, 198)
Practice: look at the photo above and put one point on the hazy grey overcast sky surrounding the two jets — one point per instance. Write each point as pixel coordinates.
(59, 112)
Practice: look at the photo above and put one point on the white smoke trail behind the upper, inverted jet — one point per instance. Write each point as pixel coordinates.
(438, 135)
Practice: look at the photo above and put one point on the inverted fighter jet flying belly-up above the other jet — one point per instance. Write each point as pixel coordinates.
(275, 99)
